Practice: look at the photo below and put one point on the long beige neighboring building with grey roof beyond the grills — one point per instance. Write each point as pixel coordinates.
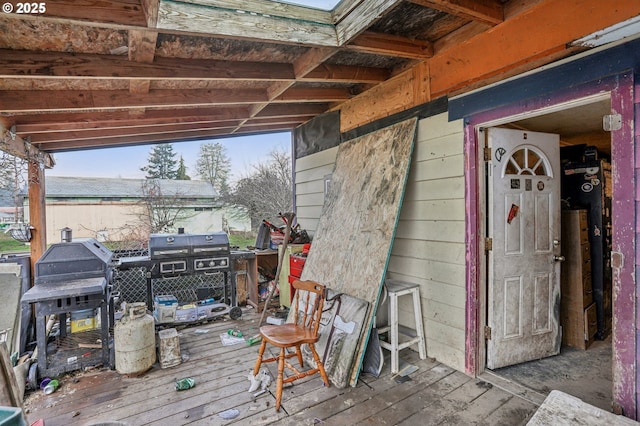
(109, 208)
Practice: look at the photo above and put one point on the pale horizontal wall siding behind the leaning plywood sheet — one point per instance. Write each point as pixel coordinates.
(429, 244)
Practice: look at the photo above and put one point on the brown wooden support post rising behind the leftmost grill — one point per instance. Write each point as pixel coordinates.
(37, 210)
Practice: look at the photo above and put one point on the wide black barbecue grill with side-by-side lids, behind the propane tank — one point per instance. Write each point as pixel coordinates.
(179, 255)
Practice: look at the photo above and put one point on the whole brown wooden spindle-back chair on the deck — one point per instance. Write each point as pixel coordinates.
(307, 310)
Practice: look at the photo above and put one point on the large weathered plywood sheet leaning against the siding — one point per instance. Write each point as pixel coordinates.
(352, 244)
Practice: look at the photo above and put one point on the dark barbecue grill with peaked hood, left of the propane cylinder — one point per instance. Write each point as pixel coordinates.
(72, 276)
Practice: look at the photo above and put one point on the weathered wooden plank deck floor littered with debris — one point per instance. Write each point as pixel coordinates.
(436, 394)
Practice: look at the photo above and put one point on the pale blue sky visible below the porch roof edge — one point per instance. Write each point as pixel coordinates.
(125, 162)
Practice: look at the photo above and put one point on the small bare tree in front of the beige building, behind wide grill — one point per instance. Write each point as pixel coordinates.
(159, 211)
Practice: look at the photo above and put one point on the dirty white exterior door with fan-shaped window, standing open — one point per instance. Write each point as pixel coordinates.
(524, 264)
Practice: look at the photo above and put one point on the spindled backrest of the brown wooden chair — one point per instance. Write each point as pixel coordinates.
(307, 304)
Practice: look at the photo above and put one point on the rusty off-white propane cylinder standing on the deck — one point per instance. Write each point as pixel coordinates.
(135, 340)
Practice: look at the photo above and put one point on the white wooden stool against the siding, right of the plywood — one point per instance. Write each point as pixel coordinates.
(396, 289)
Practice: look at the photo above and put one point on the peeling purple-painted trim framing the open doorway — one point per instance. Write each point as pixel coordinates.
(626, 393)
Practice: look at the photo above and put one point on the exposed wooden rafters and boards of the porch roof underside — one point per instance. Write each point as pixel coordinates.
(89, 74)
